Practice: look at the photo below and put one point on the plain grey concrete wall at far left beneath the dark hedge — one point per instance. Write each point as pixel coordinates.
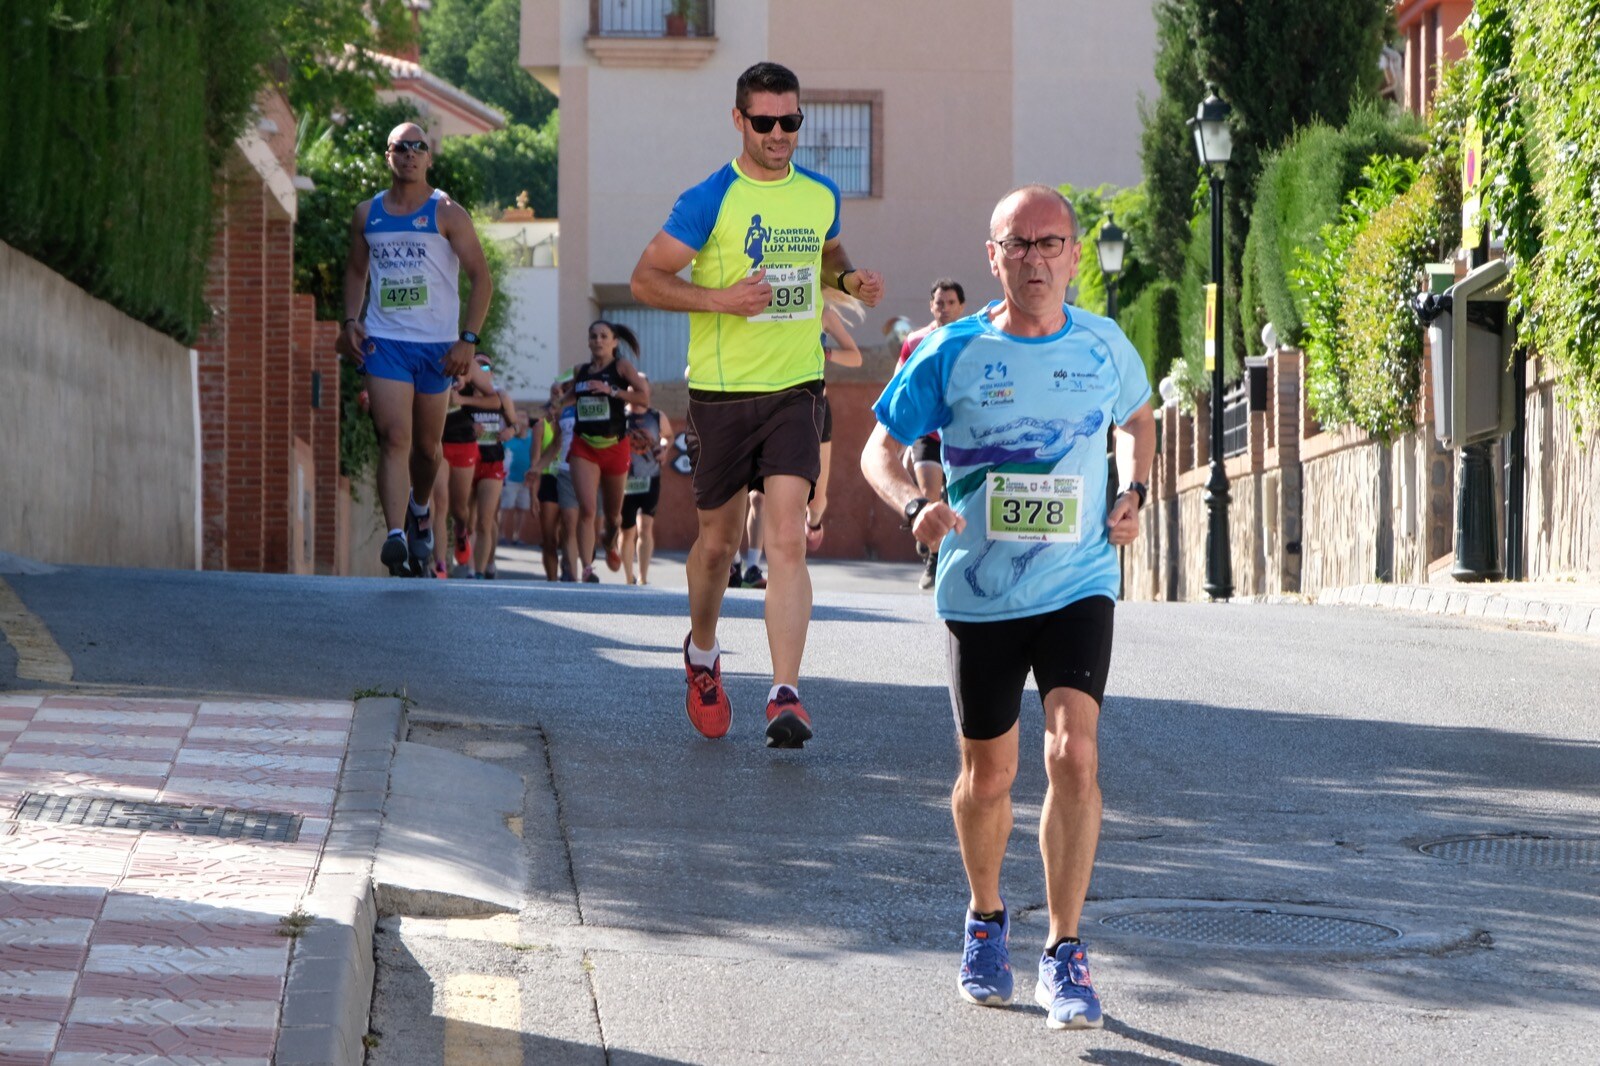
(97, 428)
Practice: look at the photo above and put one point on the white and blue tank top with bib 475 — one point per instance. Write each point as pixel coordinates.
(412, 278)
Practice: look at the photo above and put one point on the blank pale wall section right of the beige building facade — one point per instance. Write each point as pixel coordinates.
(1079, 68)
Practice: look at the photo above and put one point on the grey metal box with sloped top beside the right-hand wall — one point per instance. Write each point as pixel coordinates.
(1473, 342)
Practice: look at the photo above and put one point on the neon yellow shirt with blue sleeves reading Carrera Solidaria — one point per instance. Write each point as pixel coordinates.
(738, 226)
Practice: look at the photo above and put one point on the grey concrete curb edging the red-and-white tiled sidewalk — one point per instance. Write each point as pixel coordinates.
(329, 995)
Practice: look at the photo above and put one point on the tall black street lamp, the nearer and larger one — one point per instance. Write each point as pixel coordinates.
(1215, 145)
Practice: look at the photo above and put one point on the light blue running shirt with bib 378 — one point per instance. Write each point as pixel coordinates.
(1025, 425)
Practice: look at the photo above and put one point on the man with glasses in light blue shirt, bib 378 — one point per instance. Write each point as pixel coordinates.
(1023, 396)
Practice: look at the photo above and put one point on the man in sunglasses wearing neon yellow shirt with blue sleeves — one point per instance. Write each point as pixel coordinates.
(762, 239)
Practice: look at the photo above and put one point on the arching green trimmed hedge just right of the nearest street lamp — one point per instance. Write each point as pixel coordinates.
(1302, 190)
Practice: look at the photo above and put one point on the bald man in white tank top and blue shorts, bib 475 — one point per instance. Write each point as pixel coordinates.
(409, 247)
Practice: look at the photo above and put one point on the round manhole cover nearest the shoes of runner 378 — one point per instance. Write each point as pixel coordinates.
(1252, 928)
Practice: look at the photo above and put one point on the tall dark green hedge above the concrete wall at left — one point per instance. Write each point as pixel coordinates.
(114, 116)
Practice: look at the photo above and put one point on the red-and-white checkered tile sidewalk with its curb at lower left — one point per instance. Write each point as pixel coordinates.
(158, 942)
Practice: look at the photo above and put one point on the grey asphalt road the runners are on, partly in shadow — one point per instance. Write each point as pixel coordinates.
(714, 902)
